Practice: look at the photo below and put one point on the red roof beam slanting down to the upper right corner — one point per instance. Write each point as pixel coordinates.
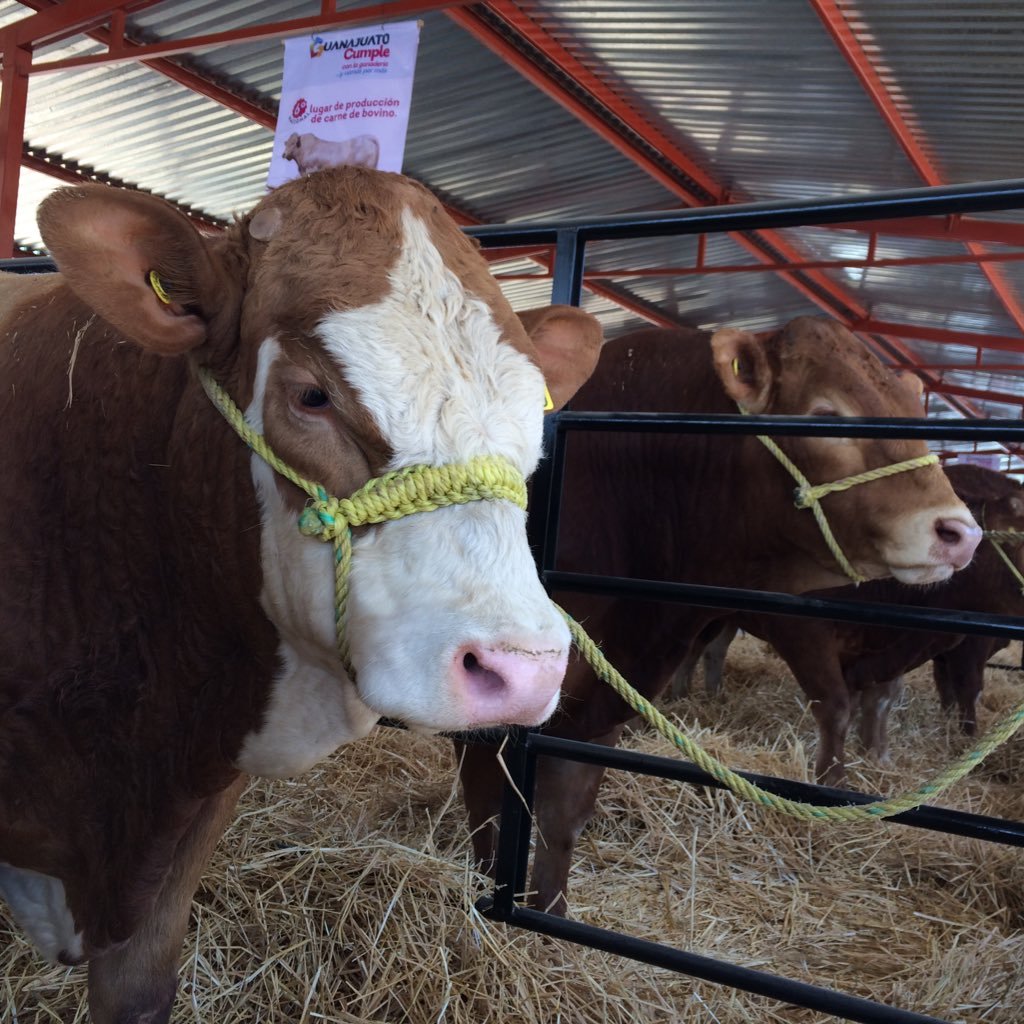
(845, 39)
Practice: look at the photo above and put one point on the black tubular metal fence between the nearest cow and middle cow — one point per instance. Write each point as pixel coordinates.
(521, 756)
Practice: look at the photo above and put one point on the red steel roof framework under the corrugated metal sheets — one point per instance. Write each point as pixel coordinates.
(503, 27)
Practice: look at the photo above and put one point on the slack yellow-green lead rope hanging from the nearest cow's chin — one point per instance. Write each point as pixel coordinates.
(1000, 734)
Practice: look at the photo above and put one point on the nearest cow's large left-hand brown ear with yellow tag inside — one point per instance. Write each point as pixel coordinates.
(137, 261)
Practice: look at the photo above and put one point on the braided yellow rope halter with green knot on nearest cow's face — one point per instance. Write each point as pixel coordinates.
(418, 489)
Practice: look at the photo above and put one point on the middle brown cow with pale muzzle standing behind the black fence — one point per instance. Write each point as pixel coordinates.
(714, 510)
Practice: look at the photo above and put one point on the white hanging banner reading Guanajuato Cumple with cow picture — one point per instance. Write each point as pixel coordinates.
(345, 100)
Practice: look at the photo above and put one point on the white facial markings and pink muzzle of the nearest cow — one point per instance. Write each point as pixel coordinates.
(448, 624)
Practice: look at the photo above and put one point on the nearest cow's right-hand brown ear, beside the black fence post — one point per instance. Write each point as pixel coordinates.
(568, 343)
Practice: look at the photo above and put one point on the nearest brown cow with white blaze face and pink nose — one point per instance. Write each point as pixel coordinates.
(164, 627)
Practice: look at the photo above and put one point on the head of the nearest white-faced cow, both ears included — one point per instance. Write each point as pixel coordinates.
(361, 331)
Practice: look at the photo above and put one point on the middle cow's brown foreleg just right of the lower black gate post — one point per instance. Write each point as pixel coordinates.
(567, 793)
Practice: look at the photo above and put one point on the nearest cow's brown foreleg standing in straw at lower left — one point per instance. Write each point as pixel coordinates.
(136, 983)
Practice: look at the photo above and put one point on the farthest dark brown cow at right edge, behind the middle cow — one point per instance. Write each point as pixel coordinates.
(837, 664)
